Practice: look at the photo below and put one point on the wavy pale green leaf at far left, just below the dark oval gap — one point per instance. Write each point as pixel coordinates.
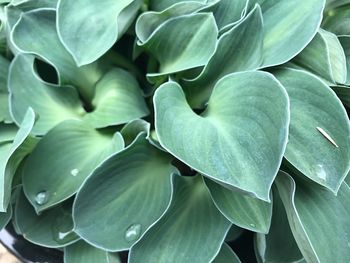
(51, 103)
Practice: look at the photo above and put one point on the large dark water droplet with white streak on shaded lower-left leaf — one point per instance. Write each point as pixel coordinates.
(62, 229)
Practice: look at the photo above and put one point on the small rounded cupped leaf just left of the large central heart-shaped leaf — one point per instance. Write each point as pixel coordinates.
(117, 100)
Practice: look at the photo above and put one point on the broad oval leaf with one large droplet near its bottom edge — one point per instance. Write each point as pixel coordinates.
(136, 180)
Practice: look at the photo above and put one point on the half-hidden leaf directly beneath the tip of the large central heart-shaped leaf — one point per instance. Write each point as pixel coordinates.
(242, 210)
